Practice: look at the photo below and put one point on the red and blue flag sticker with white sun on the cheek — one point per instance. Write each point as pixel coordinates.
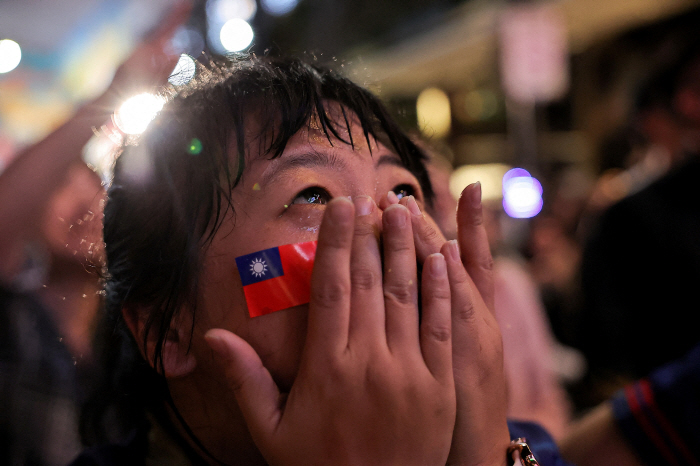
(277, 278)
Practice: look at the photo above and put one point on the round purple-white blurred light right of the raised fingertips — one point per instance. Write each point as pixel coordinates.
(522, 194)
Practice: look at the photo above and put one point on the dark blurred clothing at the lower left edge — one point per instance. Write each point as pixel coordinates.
(39, 387)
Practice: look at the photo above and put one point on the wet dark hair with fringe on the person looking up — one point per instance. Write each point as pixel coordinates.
(172, 189)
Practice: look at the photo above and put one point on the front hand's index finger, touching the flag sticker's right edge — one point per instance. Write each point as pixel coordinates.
(329, 305)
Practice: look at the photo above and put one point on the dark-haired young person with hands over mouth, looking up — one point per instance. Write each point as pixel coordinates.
(263, 152)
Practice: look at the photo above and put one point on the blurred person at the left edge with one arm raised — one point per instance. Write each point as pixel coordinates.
(51, 257)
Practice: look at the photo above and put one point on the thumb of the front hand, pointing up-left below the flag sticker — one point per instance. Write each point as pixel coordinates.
(257, 394)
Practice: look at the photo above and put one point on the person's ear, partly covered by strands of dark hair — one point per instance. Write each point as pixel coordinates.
(178, 361)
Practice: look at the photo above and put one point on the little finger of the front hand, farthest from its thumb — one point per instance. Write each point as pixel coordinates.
(436, 327)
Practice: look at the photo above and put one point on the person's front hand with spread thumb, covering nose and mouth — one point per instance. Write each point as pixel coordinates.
(374, 386)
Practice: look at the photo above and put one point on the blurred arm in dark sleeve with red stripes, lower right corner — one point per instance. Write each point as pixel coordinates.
(653, 421)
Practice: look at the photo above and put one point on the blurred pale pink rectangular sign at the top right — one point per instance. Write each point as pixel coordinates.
(534, 58)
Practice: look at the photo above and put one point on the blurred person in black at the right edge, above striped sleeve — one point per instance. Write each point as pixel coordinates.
(641, 263)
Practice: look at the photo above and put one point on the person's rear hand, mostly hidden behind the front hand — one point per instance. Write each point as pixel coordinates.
(481, 434)
